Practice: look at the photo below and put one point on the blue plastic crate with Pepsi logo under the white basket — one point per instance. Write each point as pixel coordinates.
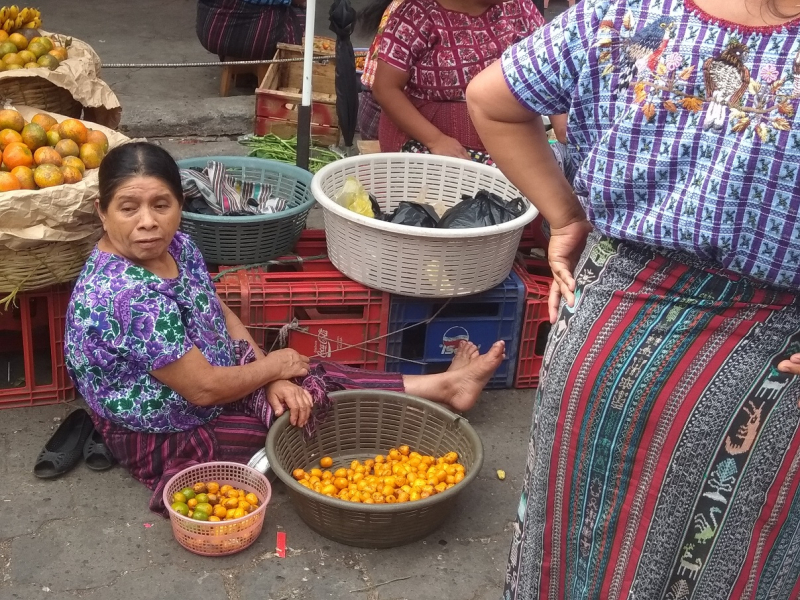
(482, 319)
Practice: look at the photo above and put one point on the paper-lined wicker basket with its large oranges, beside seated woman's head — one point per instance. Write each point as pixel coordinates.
(48, 184)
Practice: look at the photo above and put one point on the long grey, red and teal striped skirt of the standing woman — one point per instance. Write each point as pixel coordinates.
(664, 454)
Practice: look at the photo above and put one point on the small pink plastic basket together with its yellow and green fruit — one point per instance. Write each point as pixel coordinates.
(217, 508)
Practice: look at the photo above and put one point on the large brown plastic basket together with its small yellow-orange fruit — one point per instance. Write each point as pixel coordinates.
(382, 469)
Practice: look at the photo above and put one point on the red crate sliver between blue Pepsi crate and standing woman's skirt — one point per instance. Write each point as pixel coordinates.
(535, 322)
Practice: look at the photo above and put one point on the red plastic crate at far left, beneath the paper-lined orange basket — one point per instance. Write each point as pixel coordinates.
(32, 369)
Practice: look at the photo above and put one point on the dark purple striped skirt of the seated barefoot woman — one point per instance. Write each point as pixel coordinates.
(235, 435)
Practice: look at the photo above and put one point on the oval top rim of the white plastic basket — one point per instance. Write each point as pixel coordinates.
(330, 205)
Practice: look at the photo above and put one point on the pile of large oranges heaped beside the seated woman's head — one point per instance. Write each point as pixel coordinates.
(45, 153)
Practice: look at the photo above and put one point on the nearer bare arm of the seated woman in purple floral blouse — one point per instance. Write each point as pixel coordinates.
(203, 384)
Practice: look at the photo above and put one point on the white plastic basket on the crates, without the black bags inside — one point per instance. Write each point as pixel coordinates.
(415, 261)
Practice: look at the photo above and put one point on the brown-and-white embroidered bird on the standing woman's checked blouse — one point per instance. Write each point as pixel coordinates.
(726, 79)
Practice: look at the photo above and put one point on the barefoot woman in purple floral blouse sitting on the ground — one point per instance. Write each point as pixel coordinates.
(170, 374)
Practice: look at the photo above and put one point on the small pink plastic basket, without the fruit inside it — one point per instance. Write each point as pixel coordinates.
(225, 537)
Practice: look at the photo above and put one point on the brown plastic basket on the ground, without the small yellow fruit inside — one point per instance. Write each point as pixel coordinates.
(361, 424)
